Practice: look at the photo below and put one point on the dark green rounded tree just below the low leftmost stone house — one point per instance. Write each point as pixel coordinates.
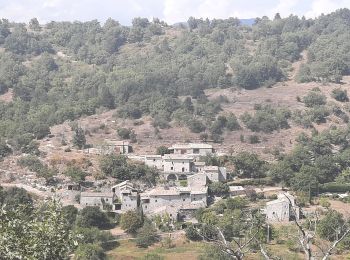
(93, 217)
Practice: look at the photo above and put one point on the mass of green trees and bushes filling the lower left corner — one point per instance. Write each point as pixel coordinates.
(46, 230)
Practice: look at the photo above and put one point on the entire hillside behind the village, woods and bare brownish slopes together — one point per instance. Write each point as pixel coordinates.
(238, 87)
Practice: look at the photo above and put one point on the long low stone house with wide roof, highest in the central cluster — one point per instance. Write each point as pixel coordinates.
(192, 149)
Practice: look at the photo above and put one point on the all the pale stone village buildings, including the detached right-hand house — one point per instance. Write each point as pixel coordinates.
(179, 202)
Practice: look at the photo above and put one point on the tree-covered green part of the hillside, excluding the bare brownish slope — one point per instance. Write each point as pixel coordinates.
(63, 70)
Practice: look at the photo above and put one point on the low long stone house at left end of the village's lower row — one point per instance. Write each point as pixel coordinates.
(99, 199)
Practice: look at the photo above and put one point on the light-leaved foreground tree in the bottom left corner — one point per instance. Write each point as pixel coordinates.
(44, 234)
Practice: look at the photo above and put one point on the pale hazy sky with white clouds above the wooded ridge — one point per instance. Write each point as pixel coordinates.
(171, 11)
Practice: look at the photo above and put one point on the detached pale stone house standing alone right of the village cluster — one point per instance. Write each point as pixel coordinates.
(282, 209)
